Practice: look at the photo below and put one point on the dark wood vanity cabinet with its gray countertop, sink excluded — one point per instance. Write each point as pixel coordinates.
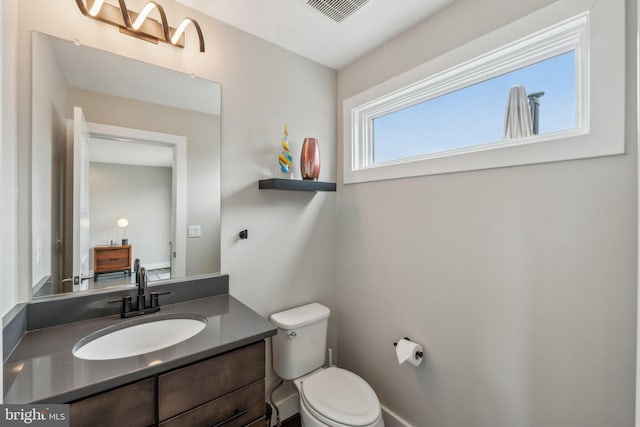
(216, 377)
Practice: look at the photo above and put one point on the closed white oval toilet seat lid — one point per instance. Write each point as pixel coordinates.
(341, 398)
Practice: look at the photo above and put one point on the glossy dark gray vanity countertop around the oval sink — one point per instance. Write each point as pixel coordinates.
(43, 369)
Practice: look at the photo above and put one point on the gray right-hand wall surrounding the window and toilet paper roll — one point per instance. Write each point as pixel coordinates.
(520, 282)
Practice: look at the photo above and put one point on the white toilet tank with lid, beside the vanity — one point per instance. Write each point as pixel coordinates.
(300, 344)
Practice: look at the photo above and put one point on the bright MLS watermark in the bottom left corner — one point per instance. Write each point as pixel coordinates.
(34, 415)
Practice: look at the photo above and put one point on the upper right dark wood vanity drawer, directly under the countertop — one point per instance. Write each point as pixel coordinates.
(193, 385)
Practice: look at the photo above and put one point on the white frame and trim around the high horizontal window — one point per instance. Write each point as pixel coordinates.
(595, 31)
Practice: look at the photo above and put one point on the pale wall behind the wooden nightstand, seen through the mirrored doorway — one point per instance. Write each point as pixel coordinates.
(142, 194)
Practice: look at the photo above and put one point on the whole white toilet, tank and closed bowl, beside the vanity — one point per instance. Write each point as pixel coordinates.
(331, 397)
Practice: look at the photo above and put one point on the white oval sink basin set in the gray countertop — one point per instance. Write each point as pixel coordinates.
(139, 336)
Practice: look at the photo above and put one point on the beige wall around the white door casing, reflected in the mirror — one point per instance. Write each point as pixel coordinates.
(203, 161)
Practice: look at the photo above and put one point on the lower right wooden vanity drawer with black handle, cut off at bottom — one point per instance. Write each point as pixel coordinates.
(236, 409)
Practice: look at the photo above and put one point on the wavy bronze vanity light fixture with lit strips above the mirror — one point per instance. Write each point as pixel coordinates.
(139, 24)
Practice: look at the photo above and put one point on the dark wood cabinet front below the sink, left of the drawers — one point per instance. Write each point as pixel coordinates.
(132, 405)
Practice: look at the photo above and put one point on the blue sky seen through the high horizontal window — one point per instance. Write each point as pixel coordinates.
(475, 115)
